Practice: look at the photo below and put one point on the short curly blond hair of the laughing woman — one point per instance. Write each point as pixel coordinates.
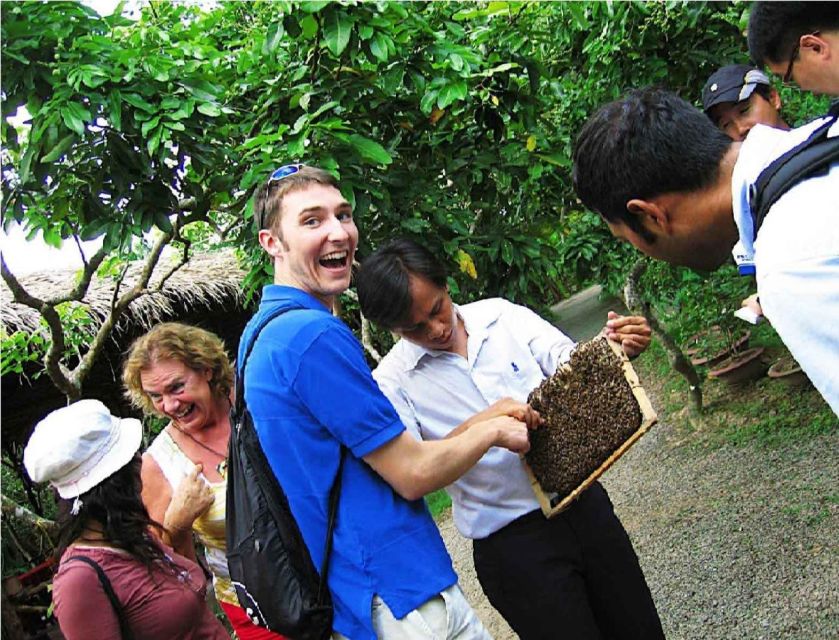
(194, 347)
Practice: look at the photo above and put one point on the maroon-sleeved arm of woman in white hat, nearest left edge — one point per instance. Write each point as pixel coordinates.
(81, 606)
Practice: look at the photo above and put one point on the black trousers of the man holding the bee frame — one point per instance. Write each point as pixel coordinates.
(574, 577)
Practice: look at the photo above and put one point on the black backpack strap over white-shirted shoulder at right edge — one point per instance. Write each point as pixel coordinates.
(803, 161)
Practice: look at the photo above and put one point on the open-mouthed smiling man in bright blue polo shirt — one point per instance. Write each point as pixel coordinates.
(310, 392)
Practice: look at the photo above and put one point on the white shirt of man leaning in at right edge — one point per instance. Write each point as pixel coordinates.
(796, 255)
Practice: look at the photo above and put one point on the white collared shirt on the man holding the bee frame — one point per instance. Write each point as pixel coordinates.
(510, 350)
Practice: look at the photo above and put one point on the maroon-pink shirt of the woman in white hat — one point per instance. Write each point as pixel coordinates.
(160, 606)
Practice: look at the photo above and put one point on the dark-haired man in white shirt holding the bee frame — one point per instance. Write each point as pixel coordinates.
(573, 576)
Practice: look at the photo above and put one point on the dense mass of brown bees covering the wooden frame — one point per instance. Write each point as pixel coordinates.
(588, 410)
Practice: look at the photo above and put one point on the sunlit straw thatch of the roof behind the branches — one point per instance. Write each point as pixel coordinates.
(207, 280)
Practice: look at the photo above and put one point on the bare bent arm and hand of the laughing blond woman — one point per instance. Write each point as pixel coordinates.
(177, 510)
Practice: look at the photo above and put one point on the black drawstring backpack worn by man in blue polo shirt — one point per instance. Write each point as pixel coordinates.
(270, 566)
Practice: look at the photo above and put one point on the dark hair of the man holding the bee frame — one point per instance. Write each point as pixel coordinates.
(382, 281)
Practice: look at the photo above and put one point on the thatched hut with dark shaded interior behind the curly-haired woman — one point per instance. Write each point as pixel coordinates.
(207, 291)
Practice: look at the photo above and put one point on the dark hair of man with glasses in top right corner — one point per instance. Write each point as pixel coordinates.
(774, 27)
